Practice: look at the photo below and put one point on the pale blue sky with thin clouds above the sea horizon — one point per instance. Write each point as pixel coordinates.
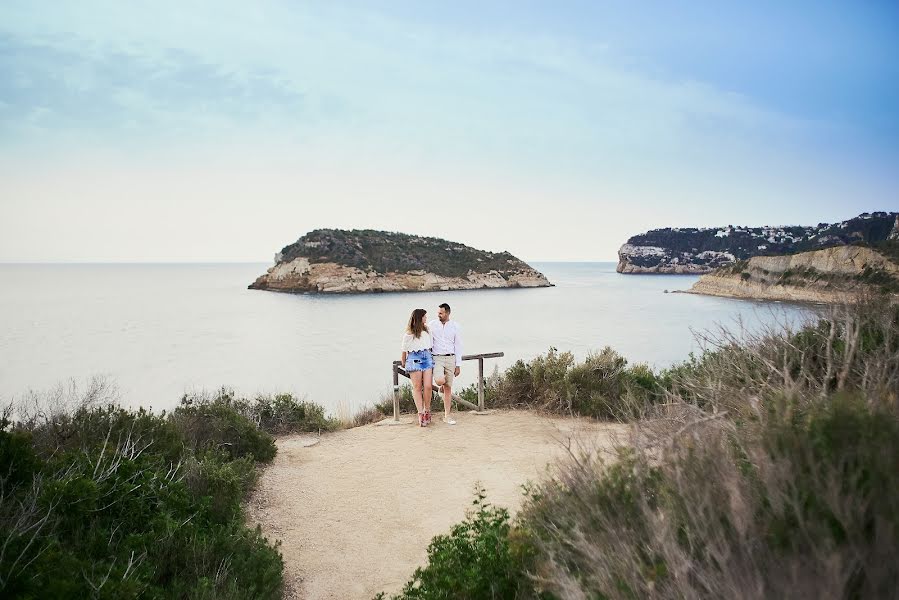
(217, 131)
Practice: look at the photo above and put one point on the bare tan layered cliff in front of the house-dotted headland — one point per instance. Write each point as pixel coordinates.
(831, 275)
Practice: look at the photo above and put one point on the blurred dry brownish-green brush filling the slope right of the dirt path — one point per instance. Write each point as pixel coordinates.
(771, 471)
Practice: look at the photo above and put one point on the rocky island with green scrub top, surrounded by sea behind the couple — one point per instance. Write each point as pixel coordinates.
(335, 261)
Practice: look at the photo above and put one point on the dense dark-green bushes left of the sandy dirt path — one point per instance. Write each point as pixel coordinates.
(111, 503)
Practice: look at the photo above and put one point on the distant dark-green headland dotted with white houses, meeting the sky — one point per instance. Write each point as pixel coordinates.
(702, 250)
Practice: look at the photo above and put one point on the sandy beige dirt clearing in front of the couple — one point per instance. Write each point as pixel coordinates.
(356, 512)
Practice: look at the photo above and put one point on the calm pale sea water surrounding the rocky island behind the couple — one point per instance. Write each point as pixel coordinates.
(158, 331)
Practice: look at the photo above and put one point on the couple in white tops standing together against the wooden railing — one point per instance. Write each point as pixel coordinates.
(432, 353)
